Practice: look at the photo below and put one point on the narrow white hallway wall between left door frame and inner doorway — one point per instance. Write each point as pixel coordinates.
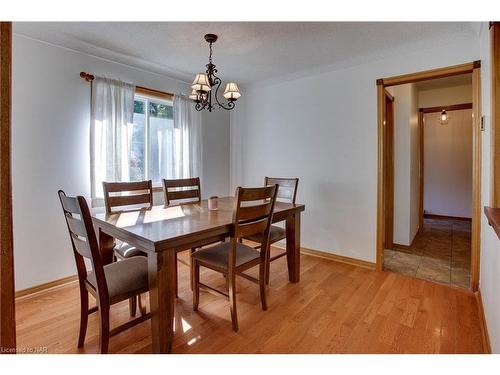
(406, 166)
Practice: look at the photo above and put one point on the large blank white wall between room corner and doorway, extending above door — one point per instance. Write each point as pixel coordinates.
(322, 128)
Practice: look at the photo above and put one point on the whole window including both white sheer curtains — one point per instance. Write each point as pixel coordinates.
(133, 137)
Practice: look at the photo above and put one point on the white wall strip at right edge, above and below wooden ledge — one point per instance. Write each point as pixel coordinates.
(490, 244)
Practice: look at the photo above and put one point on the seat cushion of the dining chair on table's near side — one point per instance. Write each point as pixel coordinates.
(218, 255)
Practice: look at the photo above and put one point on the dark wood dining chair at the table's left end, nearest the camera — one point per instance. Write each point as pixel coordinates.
(109, 284)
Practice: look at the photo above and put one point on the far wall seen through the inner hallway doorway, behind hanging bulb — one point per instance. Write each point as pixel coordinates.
(448, 164)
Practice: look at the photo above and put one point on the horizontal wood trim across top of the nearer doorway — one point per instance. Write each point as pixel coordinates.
(430, 74)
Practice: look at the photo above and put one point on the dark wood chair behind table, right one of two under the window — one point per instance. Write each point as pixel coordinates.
(185, 191)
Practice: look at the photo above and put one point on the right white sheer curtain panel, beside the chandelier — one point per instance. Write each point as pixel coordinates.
(188, 139)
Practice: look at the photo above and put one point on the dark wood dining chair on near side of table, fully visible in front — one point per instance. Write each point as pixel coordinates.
(252, 213)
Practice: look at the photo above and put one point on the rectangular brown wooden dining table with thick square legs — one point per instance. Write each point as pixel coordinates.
(162, 231)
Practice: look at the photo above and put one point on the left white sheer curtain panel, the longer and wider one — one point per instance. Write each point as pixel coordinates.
(110, 132)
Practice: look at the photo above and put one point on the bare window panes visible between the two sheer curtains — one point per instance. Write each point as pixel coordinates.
(151, 140)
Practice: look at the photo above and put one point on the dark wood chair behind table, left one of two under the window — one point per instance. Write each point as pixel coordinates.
(120, 196)
